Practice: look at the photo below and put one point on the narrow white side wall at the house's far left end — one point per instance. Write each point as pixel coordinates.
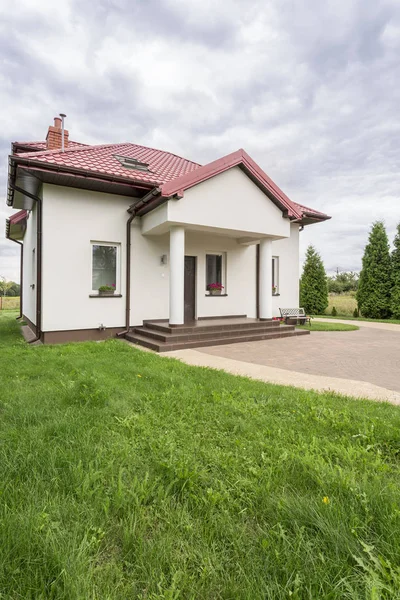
(29, 268)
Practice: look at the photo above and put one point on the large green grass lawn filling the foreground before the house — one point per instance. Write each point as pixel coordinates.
(127, 475)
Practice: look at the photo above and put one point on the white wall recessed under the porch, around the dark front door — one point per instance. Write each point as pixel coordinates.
(150, 279)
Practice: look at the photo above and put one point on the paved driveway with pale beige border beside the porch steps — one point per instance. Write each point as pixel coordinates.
(362, 363)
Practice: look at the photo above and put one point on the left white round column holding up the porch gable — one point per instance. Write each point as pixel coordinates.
(176, 275)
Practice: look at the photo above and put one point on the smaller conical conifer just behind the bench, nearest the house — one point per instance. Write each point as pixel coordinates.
(313, 284)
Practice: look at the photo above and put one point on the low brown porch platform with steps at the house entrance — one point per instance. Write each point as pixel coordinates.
(162, 337)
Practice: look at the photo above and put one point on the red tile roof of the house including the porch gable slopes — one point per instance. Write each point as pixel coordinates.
(171, 173)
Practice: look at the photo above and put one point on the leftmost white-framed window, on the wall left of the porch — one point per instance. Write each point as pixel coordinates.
(105, 265)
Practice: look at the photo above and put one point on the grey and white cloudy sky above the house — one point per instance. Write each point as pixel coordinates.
(310, 89)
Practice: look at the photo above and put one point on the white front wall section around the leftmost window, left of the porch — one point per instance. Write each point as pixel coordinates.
(73, 218)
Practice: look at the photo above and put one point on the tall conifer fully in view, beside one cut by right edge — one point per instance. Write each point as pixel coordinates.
(373, 295)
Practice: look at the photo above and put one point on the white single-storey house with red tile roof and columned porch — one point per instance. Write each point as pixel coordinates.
(160, 230)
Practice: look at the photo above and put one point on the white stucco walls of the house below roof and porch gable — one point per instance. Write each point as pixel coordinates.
(73, 218)
